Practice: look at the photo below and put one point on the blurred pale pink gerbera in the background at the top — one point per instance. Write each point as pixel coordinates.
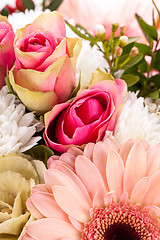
(89, 13)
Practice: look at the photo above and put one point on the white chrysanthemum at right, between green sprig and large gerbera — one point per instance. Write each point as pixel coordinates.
(136, 122)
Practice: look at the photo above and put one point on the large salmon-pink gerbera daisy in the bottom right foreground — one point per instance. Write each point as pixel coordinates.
(105, 192)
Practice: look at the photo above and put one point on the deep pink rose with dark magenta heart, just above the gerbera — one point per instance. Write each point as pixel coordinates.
(86, 118)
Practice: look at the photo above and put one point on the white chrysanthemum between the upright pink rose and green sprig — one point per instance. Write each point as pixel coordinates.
(89, 59)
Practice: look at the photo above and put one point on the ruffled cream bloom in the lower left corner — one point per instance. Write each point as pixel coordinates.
(18, 174)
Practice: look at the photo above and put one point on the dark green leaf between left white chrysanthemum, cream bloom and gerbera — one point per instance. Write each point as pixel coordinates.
(40, 152)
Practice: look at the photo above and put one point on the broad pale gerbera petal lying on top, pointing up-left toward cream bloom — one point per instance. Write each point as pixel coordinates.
(74, 205)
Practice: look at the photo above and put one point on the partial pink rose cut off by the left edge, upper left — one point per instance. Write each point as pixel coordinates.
(7, 55)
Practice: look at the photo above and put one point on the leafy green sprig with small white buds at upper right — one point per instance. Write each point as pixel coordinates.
(136, 61)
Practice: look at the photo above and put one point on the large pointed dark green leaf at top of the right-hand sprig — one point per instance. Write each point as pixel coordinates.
(148, 30)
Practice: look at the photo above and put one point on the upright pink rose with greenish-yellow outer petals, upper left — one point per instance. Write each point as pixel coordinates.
(44, 72)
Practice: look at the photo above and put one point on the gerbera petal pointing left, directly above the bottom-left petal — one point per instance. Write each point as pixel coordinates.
(46, 204)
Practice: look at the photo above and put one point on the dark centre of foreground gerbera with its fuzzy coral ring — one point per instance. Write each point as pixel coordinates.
(121, 221)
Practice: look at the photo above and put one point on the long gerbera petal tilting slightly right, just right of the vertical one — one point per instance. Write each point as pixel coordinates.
(135, 167)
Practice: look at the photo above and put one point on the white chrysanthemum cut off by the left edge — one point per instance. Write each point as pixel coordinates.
(16, 127)
